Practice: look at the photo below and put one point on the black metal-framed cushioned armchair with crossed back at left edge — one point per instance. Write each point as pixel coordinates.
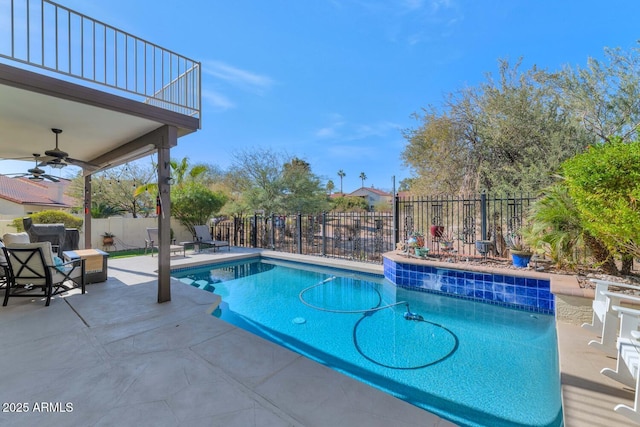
(32, 265)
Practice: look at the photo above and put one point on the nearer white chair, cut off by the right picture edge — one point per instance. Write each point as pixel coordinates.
(628, 359)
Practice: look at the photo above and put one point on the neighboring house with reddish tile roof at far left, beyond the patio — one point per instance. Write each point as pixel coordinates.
(21, 196)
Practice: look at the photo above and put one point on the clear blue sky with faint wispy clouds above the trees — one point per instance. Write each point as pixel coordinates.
(336, 82)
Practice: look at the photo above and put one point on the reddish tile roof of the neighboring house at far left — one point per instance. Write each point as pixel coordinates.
(26, 192)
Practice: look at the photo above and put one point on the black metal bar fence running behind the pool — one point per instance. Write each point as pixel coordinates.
(365, 236)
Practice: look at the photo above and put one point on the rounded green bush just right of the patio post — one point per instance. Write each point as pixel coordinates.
(192, 203)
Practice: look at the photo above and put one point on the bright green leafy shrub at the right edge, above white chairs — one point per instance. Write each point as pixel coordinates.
(604, 183)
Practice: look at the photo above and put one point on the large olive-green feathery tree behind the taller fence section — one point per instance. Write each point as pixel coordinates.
(509, 134)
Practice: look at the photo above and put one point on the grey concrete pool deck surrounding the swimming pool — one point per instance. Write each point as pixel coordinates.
(119, 358)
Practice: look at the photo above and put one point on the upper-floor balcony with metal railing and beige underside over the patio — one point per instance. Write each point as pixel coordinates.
(105, 88)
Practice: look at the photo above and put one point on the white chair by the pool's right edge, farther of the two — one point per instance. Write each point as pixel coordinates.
(605, 321)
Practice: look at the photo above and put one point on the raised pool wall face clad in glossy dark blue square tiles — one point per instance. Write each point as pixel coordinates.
(517, 292)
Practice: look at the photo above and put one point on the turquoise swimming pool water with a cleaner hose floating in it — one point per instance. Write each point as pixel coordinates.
(475, 364)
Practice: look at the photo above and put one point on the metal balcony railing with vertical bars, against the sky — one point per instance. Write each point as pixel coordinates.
(51, 37)
